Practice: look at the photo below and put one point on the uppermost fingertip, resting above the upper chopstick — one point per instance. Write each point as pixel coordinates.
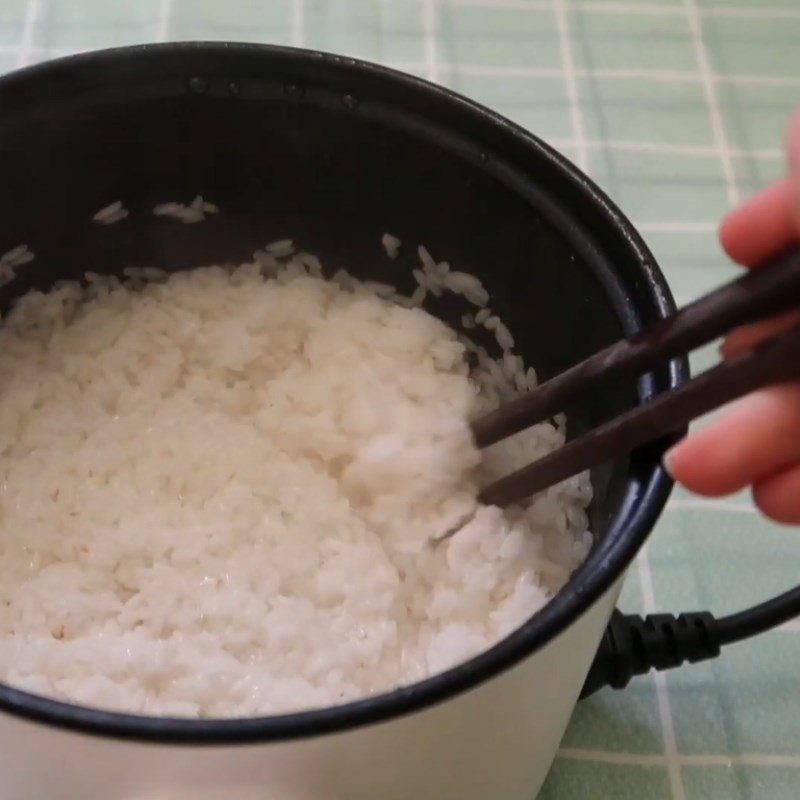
(765, 226)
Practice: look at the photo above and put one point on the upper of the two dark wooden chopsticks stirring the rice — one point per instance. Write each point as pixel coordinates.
(763, 292)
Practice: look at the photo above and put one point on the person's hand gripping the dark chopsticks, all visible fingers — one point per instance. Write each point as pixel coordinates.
(757, 441)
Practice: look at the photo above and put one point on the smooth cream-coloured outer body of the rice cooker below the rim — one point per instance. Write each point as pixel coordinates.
(495, 742)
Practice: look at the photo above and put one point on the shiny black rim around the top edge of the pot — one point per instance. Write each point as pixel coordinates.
(624, 538)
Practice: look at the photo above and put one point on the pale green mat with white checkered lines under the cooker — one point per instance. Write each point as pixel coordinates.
(676, 107)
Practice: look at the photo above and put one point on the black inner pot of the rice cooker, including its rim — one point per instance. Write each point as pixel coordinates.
(333, 153)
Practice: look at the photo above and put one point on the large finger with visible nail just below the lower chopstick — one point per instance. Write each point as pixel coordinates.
(758, 437)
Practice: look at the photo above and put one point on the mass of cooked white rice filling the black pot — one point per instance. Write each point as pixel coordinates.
(219, 489)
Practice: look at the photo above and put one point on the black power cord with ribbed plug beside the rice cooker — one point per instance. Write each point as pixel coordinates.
(633, 645)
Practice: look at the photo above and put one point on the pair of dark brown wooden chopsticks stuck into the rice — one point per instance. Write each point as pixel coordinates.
(767, 291)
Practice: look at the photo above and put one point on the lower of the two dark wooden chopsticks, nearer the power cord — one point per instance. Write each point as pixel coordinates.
(774, 361)
